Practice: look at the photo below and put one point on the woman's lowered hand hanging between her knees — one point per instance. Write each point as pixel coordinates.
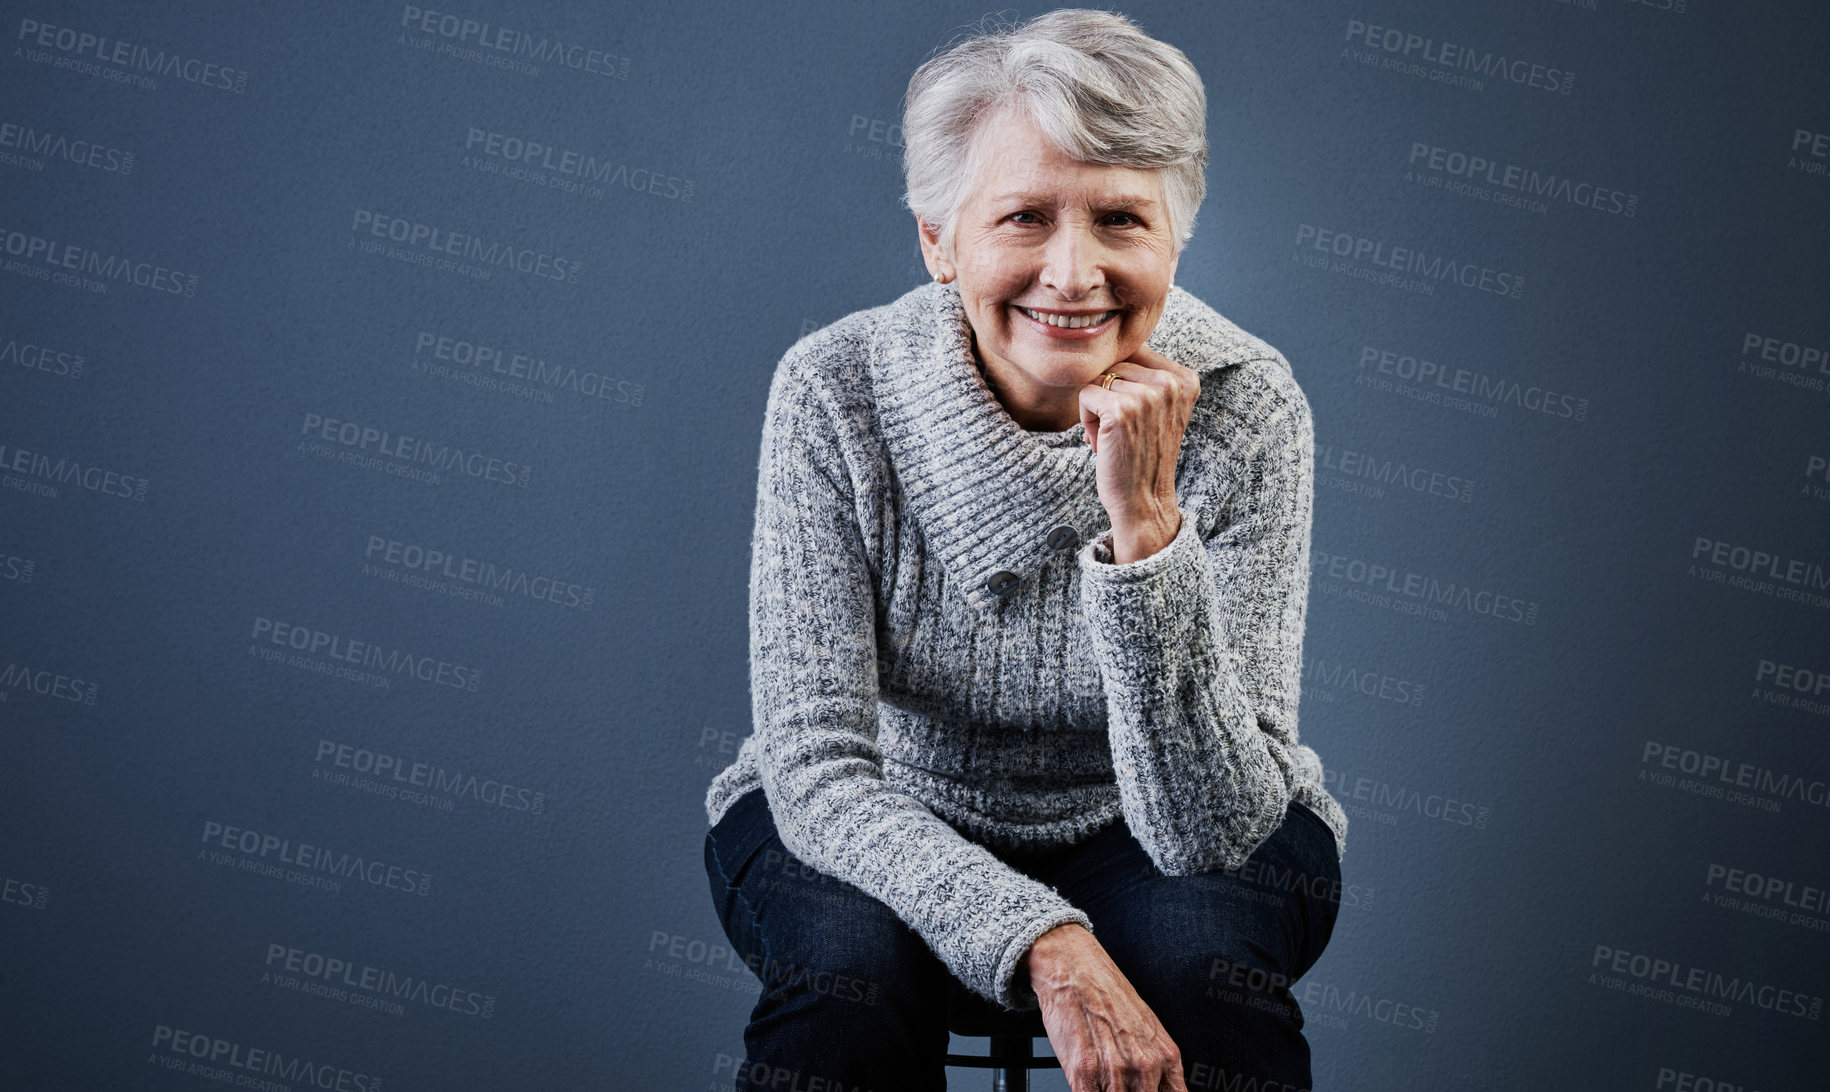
(1104, 1034)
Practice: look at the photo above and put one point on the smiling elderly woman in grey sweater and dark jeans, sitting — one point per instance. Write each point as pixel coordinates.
(1028, 599)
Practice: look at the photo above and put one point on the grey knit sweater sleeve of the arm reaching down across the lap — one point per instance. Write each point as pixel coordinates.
(813, 691)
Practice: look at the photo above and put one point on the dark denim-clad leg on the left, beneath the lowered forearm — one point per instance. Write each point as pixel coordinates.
(852, 996)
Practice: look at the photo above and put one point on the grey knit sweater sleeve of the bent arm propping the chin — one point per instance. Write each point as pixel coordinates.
(1201, 648)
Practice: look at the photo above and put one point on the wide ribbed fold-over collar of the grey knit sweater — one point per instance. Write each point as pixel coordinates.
(985, 491)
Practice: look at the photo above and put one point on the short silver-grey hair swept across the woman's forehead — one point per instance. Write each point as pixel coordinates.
(1095, 85)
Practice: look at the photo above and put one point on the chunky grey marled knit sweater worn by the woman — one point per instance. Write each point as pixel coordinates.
(907, 712)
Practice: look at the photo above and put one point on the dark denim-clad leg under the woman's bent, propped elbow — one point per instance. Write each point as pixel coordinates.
(1216, 954)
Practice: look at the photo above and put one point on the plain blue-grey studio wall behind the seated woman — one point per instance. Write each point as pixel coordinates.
(382, 394)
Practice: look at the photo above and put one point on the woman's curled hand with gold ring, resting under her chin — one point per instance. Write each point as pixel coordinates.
(1136, 431)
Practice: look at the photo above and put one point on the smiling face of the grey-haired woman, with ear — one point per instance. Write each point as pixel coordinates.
(1064, 239)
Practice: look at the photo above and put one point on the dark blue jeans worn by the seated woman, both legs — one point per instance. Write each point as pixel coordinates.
(854, 1000)
